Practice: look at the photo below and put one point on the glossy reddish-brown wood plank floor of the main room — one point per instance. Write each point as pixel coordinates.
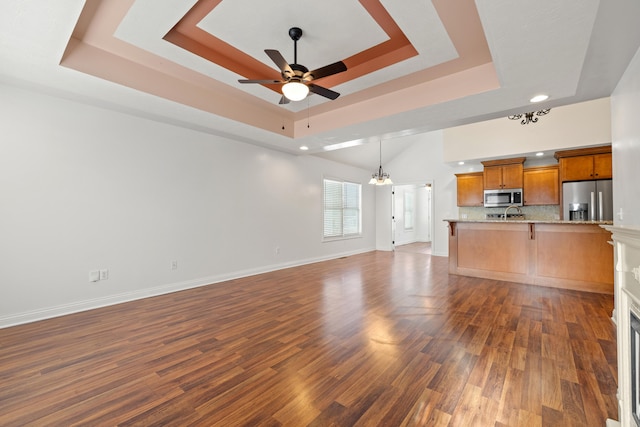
(378, 339)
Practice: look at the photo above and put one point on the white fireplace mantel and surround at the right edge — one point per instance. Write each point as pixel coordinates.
(626, 242)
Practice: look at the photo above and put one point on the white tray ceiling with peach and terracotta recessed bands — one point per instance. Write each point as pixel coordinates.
(412, 65)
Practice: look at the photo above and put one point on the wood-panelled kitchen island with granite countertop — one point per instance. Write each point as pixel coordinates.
(562, 254)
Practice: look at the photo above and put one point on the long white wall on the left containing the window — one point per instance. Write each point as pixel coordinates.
(83, 188)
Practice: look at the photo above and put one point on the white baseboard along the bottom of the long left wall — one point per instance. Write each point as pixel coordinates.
(78, 306)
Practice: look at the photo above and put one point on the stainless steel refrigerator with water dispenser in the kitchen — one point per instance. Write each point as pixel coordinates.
(588, 200)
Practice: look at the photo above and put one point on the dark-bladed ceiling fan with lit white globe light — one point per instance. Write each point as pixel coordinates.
(296, 78)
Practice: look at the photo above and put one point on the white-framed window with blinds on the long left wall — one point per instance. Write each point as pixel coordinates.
(342, 217)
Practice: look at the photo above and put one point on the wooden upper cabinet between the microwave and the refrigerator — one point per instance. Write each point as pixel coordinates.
(541, 186)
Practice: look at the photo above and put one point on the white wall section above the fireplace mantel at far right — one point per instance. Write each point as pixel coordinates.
(625, 126)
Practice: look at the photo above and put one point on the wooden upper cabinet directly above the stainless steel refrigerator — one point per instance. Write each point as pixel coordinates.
(585, 164)
